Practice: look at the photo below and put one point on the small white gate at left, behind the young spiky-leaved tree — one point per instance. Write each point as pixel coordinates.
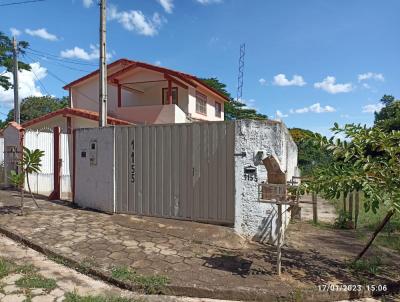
(43, 182)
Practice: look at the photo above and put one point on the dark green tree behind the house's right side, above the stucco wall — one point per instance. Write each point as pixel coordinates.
(234, 110)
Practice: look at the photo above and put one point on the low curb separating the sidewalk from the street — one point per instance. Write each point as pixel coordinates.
(244, 294)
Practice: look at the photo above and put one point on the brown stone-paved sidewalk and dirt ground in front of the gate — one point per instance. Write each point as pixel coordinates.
(201, 259)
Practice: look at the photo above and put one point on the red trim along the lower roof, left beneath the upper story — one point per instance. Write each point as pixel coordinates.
(91, 115)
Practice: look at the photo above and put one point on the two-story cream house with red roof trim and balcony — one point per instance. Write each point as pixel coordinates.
(138, 93)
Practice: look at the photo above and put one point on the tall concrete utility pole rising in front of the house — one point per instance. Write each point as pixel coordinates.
(103, 67)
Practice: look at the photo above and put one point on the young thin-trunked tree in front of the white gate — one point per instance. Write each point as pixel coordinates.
(31, 162)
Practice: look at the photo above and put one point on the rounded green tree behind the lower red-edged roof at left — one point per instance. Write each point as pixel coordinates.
(33, 107)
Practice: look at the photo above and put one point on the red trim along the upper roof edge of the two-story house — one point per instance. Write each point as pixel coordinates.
(190, 79)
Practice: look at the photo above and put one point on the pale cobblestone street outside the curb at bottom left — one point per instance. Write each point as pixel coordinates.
(66, 280)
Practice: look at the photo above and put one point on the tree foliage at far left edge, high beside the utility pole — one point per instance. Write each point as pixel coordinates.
(6, 59)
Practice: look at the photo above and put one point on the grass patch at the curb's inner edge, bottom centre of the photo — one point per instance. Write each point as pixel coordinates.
(150, 284)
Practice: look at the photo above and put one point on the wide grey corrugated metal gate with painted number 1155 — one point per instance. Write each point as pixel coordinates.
(176, 171)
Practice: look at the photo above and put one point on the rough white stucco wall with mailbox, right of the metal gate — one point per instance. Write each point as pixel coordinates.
(254, 219)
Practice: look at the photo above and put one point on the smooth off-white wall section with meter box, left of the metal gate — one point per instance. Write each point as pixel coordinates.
(94, 183)
